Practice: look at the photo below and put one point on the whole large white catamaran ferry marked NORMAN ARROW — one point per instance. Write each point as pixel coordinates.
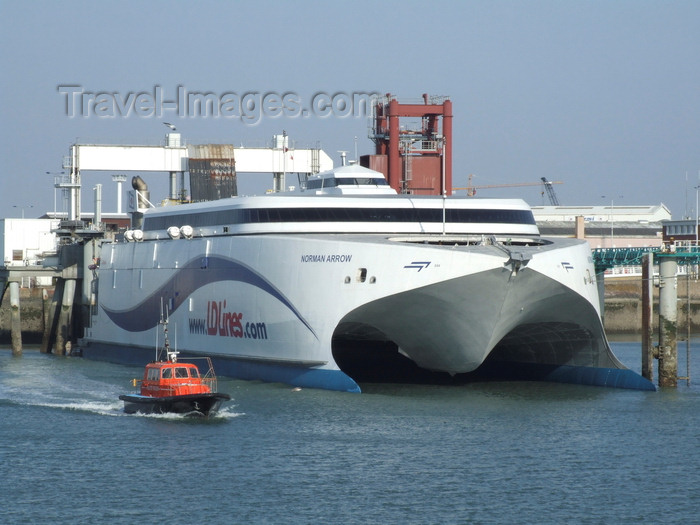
(348, 282)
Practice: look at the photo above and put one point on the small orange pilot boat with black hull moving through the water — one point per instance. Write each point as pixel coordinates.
(175, 387)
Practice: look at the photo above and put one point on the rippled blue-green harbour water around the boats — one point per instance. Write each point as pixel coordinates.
(479, 453)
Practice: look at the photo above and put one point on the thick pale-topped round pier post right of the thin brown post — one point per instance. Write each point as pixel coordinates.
(668, 315)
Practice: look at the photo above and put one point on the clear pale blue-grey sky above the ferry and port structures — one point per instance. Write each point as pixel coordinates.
(603, 96)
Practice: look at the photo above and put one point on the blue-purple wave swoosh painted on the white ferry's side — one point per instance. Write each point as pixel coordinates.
(186, 280)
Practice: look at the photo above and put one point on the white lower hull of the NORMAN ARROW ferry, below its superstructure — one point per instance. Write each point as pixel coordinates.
(284, 307)
